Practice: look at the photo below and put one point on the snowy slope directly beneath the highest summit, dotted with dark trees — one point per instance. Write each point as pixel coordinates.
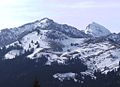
(42, 42)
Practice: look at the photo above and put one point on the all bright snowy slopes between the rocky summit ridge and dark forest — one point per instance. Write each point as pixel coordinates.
(103, 56)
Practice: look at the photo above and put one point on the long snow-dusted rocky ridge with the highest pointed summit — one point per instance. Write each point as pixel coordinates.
(7, 36)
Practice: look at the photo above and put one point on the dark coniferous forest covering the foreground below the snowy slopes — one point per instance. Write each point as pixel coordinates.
(22, 72)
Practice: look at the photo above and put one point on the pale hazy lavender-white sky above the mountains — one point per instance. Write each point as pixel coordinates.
(78, 13)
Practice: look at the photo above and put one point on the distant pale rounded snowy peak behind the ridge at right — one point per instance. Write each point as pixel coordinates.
(96, 30)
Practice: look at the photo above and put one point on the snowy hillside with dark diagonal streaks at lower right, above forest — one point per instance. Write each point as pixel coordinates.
(100, 56)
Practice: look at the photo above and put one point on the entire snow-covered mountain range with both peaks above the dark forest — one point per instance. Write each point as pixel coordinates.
(63, 44)
